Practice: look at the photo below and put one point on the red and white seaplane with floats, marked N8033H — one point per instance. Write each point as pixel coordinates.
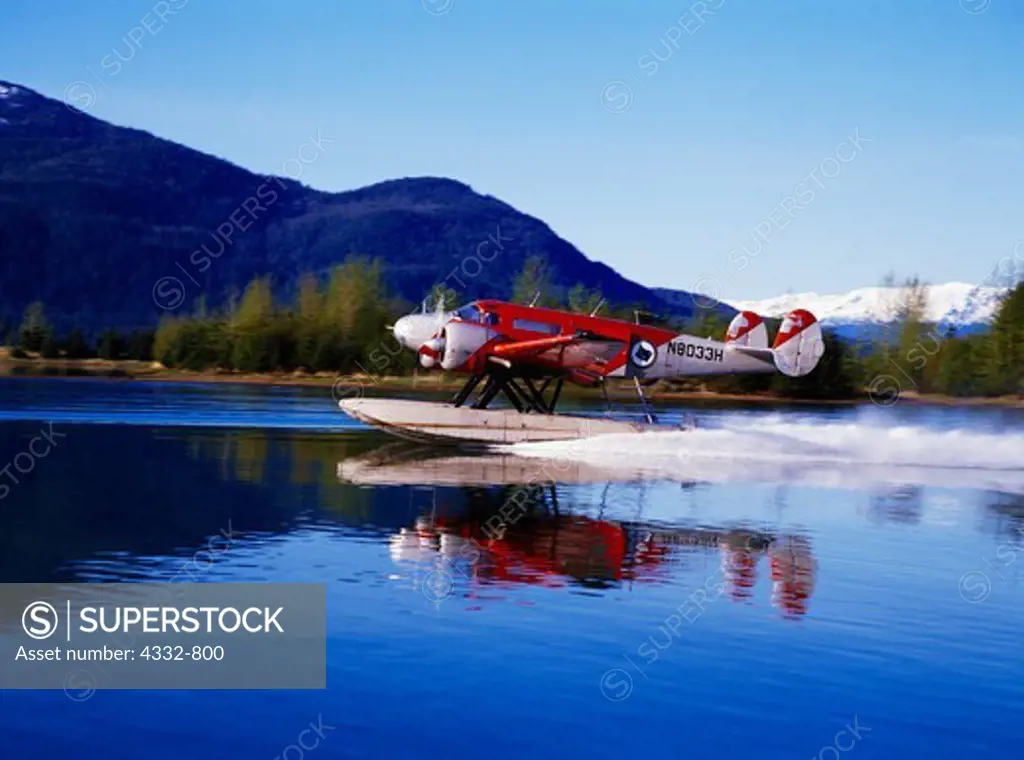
(526, 354)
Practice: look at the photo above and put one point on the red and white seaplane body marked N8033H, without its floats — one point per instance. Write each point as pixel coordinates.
(488, 334)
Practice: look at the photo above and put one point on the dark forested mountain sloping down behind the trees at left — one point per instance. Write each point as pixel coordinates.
(108, 225)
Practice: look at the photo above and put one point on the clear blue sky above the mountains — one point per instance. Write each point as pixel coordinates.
(515, 99)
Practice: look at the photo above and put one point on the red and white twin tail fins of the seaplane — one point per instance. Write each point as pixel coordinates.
(798, 346)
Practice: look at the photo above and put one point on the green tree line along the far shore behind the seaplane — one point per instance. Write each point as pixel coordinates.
(340, 324)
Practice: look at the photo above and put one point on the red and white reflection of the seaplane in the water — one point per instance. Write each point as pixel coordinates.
(511, 530)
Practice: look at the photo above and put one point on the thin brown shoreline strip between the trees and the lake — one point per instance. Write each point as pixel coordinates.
(130, 370)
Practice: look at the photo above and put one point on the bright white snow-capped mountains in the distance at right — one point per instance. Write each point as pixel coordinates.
(958, 306)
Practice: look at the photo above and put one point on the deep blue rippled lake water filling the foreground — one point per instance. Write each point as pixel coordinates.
(789, 583)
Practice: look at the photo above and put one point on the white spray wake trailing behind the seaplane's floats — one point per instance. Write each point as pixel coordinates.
(771, 447)
